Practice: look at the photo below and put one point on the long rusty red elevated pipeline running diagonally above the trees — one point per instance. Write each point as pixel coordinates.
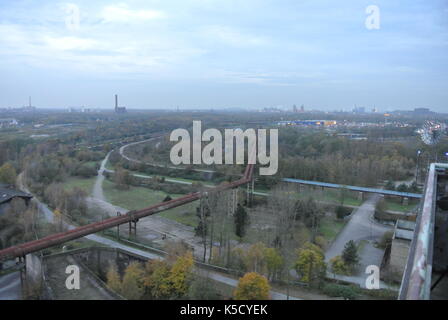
(132, 216)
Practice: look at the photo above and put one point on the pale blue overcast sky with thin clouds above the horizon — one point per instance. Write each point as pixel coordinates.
(228, 53)
